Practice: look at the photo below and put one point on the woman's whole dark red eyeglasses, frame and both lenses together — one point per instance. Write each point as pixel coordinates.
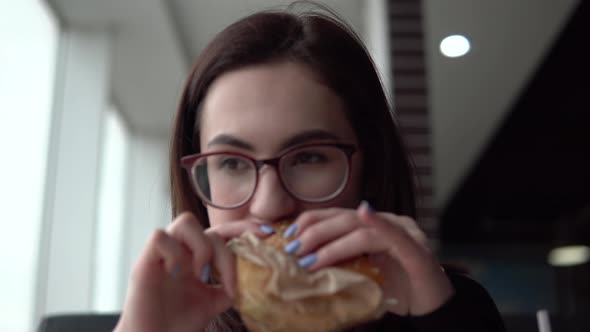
(310, 173)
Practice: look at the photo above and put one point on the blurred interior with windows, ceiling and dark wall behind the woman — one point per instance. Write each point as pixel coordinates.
(496, 118)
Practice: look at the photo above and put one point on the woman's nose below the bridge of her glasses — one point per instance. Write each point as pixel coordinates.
(271, 202)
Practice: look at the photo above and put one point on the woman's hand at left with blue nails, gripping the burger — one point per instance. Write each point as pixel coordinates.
(166, 292)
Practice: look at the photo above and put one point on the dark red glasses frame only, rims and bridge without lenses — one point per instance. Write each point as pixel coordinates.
(189, 163)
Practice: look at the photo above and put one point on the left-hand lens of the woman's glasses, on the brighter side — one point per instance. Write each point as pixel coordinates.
(225, 180)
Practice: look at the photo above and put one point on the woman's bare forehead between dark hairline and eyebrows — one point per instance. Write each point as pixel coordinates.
(267, 104)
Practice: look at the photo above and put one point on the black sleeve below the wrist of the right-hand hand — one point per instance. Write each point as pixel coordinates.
(470, 309)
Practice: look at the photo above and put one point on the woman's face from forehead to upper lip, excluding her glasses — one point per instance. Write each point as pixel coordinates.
(263, 110)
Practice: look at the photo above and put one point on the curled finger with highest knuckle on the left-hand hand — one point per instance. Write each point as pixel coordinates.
(186, 229)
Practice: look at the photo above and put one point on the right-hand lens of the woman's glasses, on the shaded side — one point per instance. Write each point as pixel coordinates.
(315, 173)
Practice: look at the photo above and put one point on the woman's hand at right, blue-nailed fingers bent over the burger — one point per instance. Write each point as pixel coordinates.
(394, 243)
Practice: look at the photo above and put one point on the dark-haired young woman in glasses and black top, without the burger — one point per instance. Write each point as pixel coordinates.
(284, 117)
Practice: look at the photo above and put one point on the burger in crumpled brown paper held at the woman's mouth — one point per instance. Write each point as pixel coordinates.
(274, 294)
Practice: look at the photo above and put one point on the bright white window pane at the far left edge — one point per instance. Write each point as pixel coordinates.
(28, 50)
